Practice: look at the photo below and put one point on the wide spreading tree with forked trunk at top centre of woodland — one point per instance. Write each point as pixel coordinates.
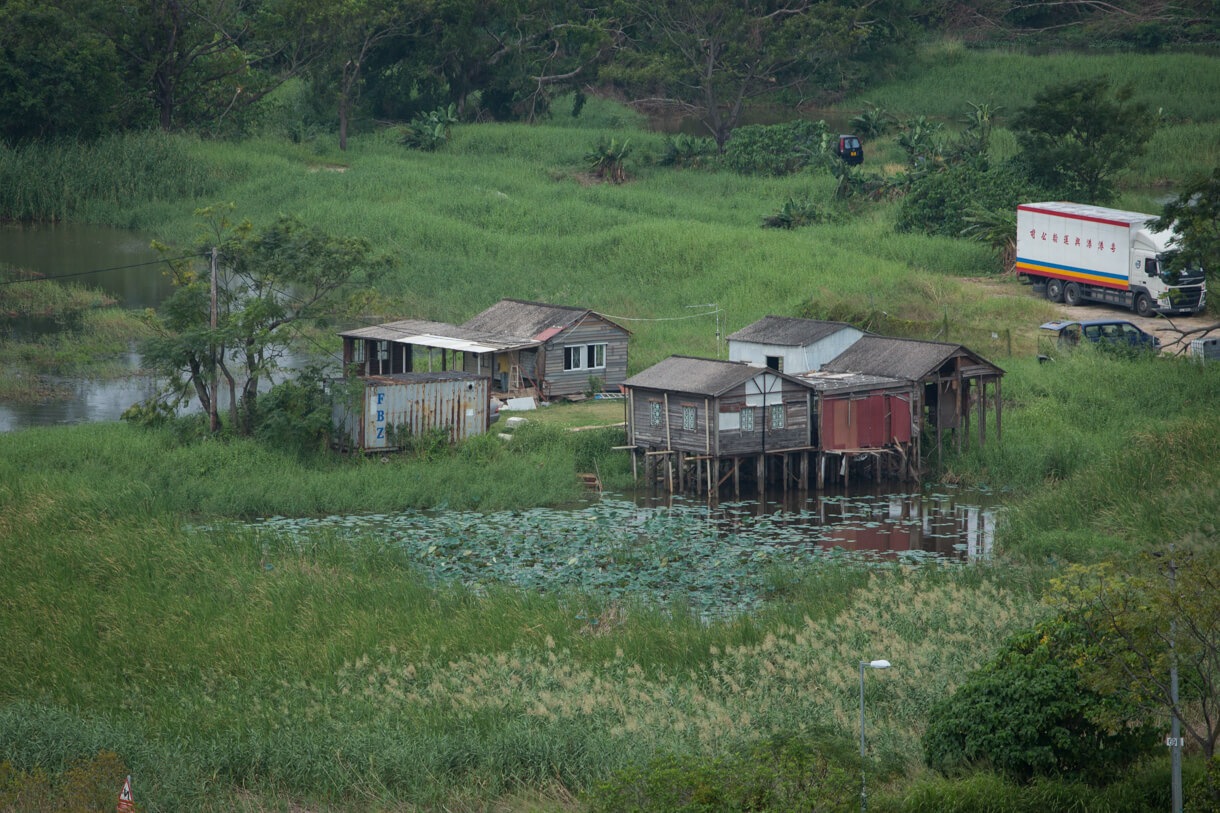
(709, 58)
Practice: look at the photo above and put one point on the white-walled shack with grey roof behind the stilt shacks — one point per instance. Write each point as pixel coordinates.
(791, 345)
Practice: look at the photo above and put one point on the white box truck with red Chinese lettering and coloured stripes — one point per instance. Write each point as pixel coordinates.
(1079, 253)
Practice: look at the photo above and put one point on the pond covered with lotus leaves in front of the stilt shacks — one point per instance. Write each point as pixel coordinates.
(718, 560)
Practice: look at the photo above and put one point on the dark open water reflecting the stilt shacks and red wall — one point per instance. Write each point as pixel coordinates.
(862, 519)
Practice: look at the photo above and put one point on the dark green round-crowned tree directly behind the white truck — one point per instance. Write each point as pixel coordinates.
(1077, 137)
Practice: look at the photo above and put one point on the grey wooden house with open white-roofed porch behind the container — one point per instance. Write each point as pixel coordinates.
(524, 347)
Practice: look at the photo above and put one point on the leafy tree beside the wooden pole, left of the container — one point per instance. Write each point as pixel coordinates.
(269, 284)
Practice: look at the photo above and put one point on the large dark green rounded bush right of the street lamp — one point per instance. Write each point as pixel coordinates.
(1029, 715)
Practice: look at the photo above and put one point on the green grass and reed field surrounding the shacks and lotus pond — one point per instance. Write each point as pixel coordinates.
(229, 670)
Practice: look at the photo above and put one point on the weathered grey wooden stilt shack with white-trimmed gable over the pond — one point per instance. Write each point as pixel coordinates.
(697, 421)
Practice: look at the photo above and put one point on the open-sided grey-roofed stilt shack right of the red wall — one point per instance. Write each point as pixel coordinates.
(951, 380)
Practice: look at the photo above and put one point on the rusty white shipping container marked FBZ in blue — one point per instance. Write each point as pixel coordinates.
(413, 403)
